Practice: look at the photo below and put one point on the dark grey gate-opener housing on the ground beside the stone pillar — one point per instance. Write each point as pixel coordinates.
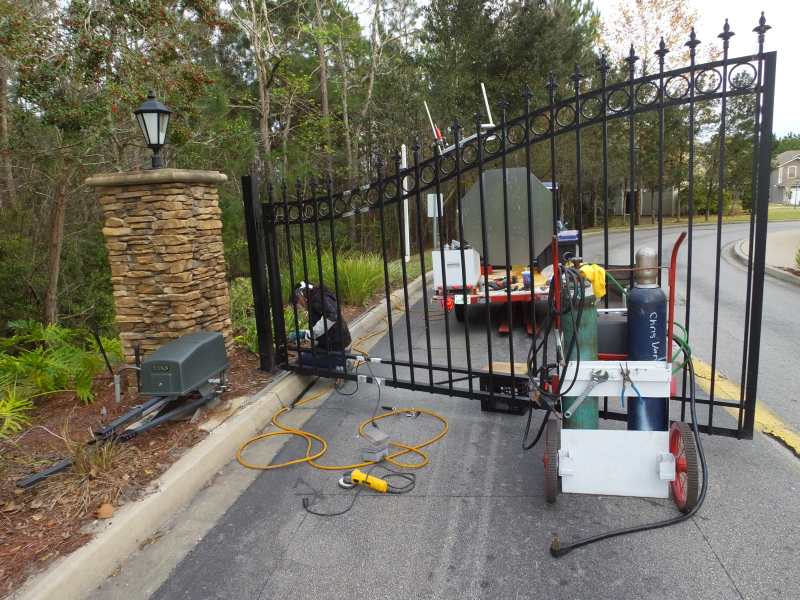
(183, 365)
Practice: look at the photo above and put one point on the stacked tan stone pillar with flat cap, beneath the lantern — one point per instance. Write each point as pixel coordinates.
(163, 233)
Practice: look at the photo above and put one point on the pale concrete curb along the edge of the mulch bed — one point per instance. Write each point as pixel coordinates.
(77, 574)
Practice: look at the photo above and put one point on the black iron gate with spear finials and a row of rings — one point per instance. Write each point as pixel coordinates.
(600, 153)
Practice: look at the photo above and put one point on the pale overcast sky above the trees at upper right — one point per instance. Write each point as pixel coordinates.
(784, 37)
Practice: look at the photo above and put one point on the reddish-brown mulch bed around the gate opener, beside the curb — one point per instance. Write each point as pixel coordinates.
(50, 520)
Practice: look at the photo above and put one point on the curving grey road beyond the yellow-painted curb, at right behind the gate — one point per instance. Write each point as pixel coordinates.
(779, 375)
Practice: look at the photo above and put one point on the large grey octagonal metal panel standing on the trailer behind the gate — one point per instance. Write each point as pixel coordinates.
(517, 180)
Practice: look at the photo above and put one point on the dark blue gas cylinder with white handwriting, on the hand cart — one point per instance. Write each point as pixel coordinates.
(647, 338)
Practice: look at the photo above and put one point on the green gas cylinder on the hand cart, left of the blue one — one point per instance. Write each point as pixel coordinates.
(586, 416)
